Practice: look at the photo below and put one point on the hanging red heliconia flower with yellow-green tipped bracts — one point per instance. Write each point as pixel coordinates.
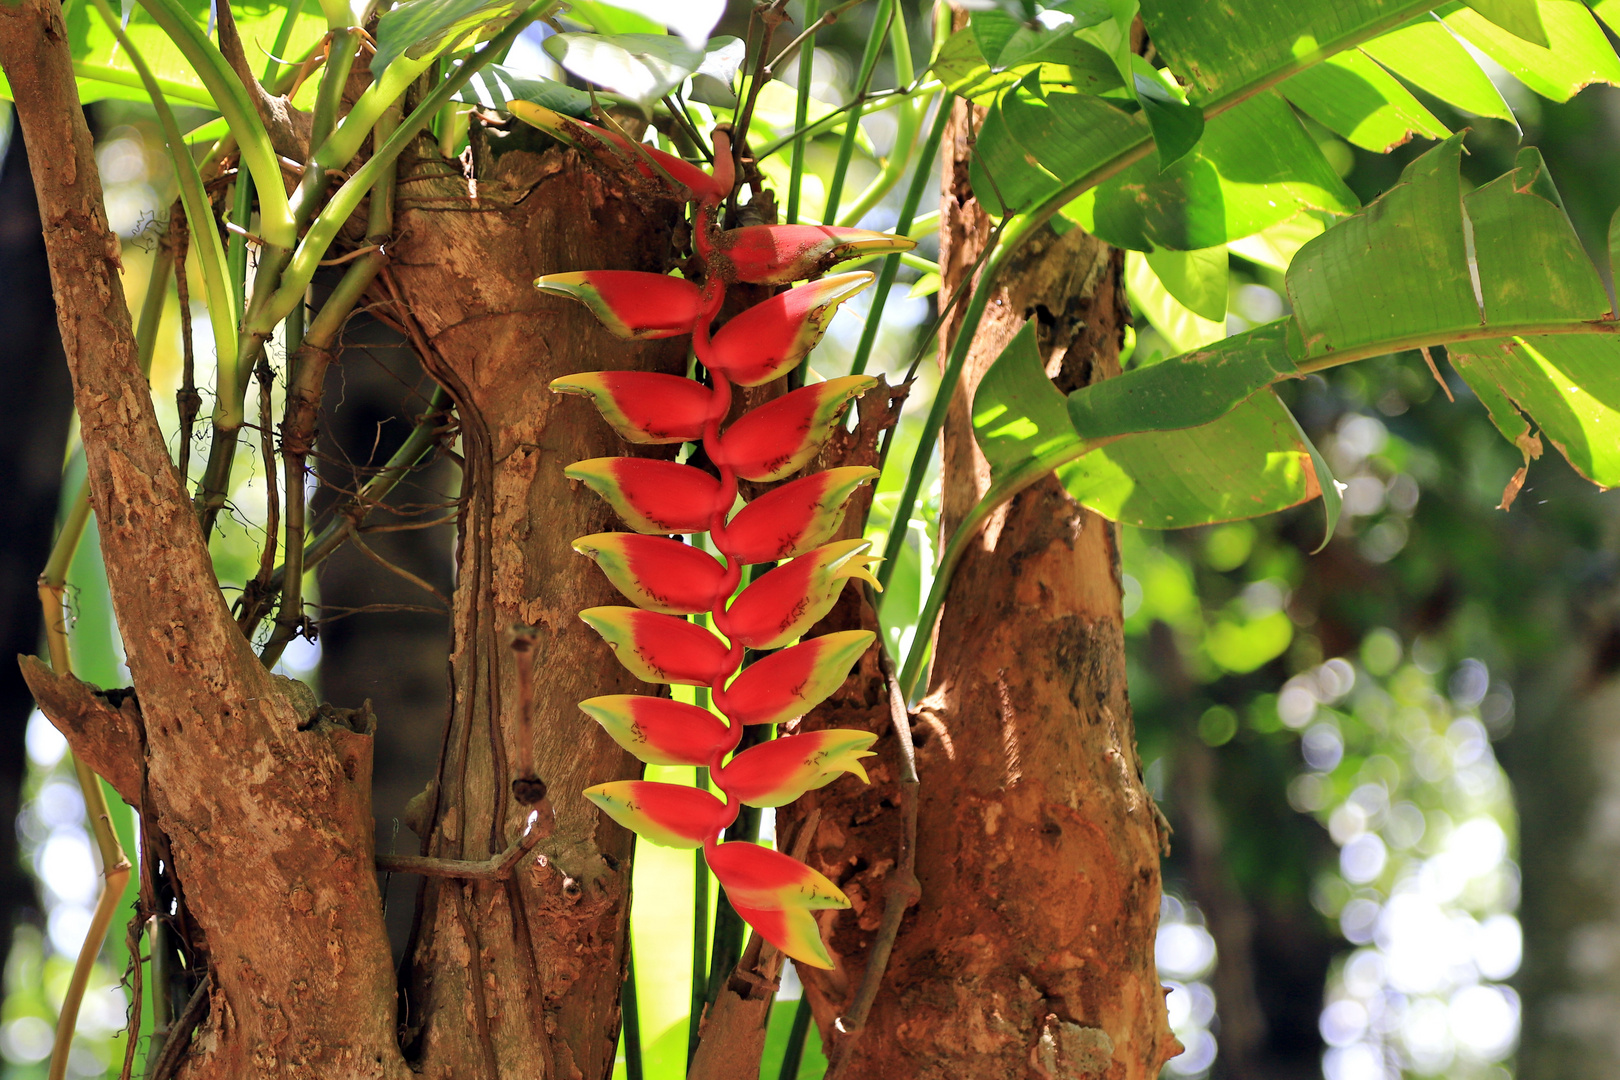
(668, 580)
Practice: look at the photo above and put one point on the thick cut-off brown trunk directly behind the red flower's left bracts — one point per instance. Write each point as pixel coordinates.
(521, 979)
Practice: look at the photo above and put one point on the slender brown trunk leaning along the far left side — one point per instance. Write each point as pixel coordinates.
(266, 812)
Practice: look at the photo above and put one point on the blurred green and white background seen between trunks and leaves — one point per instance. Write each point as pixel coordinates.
(1392, 768)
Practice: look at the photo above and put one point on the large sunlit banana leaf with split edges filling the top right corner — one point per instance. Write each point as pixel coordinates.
(1062, 132)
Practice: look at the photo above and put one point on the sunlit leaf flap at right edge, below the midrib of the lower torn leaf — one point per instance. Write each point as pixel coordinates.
(1571, 386)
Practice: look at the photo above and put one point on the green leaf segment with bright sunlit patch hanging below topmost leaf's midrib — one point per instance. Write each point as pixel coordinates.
(1255, 168)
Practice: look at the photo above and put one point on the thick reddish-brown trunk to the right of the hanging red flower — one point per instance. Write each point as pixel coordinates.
(1031, 953)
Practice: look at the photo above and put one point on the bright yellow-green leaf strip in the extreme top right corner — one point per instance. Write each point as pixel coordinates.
(1580, 53)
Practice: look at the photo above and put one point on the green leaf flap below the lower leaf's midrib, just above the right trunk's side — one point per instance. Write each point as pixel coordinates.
(1251, 462)
